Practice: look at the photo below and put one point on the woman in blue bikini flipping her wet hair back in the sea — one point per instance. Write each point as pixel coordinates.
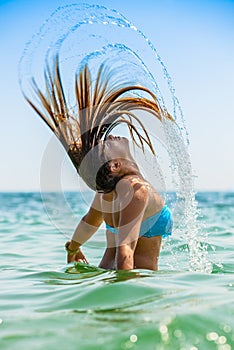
(136, 217)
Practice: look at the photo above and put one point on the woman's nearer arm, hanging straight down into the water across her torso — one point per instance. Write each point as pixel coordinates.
(130, 220)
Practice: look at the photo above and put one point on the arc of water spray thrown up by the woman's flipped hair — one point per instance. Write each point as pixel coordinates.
(93, 34)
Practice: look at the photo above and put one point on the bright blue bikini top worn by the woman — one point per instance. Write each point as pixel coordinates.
(159, 224)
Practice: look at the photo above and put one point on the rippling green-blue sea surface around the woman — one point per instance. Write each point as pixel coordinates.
(47, 304)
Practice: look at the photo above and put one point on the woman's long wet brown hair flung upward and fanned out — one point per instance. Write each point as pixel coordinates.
(100, 106)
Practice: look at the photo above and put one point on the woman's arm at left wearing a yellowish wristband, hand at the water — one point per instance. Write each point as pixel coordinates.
(84, 231)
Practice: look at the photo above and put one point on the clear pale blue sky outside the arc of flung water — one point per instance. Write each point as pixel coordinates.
(196, 42)
